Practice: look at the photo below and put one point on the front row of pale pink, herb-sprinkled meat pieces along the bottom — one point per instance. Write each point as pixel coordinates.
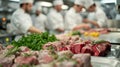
(24, 57)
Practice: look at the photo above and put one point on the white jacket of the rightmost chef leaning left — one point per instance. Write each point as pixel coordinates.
(98, 16)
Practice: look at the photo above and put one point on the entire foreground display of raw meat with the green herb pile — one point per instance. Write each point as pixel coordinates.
(68, 51)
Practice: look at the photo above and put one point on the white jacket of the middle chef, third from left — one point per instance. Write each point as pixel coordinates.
(55, 20)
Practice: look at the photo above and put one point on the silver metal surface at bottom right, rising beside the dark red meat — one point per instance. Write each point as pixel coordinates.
(111, 60)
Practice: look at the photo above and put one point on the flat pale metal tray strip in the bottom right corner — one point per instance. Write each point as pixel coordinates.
(104, 62)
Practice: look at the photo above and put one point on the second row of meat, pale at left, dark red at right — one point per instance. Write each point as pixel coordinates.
(76, 46)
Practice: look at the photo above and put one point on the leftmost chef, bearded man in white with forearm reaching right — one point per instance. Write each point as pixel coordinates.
(21, 21)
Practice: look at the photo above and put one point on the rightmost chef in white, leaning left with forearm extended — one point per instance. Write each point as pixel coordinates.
(96, 15)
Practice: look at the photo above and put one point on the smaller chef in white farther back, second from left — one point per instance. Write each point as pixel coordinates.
(40, 19)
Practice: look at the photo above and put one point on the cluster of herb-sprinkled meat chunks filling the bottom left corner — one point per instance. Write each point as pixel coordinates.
(18, 58)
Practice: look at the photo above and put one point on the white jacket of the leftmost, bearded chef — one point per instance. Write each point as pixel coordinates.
(20, 21)
